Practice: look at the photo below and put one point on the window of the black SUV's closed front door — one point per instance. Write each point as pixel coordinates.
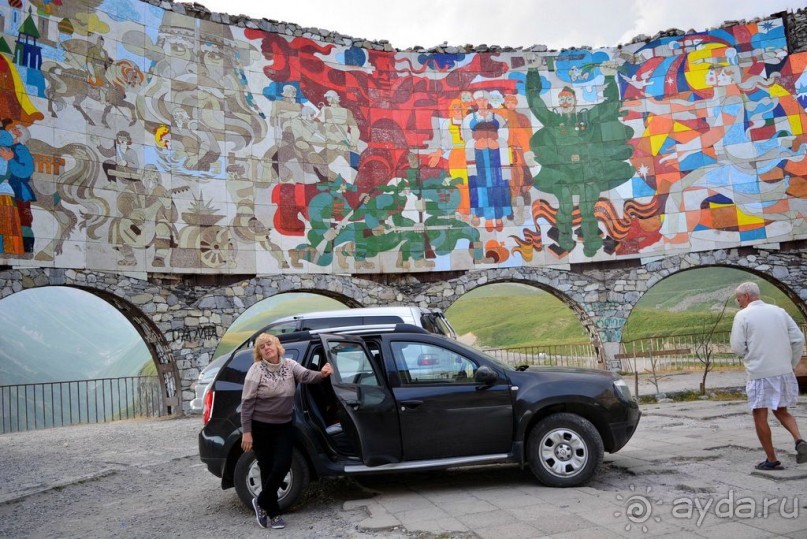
(421, 363)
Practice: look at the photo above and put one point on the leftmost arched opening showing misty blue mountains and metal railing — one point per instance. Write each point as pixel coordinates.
(70, 355)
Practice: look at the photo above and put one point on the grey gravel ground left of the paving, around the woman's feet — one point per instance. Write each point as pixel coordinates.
(124, 480)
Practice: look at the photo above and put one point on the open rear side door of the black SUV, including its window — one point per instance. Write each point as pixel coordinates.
(362, 392)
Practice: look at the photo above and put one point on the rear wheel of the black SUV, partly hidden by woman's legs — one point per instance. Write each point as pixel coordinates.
(248, 480)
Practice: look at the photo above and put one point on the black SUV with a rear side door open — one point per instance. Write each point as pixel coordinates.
(405, 399)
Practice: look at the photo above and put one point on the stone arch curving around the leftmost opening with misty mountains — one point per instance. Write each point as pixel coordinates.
(99, 285)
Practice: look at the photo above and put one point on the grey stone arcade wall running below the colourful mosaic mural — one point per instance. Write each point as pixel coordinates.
(602, 298)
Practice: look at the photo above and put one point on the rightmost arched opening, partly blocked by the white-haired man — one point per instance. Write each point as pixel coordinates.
(683, 322)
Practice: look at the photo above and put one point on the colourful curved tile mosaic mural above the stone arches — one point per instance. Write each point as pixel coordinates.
(141, 140)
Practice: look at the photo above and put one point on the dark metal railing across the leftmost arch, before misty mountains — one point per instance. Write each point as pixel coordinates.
(56, 404)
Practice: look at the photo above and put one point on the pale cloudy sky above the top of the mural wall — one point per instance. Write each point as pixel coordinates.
(556, 23)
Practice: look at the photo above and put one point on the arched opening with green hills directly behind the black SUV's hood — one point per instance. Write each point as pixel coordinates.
(523, 322)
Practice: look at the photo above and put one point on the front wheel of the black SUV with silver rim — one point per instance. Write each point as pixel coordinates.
(564, 450)
